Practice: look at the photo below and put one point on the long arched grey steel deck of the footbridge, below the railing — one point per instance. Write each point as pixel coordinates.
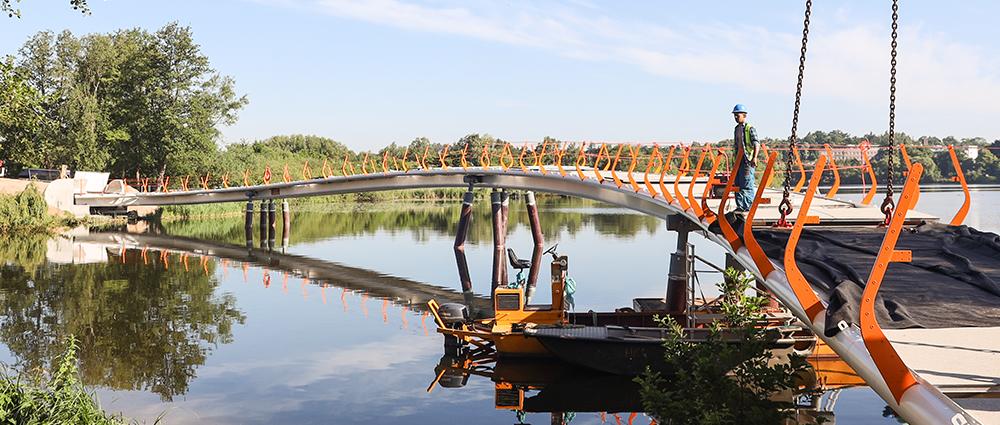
(919, 402)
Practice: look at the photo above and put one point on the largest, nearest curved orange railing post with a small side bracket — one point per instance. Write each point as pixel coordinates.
(895, 373)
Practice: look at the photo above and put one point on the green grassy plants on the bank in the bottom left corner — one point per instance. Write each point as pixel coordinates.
(61, 399)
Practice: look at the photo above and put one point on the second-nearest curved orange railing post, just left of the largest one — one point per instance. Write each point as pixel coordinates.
(803, 292)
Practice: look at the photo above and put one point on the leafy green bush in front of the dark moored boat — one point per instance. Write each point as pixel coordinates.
(731, 377)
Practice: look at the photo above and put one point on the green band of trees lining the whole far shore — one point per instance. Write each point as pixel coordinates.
(140, 103)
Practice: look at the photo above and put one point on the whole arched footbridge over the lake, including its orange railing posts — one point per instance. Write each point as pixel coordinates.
(698, 194)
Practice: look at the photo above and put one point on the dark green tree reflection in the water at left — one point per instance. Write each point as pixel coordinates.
(140, 327)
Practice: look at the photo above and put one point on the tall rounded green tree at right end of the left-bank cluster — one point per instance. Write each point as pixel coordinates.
(170, 102)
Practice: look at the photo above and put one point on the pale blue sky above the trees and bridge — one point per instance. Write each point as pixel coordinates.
(368, 73)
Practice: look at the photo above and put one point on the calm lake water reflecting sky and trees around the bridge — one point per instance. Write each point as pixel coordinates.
(212, 341)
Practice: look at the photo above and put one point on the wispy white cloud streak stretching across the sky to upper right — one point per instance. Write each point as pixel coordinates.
(847, 63)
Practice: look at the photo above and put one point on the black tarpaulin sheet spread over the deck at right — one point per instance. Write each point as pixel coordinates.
(953, 280)
